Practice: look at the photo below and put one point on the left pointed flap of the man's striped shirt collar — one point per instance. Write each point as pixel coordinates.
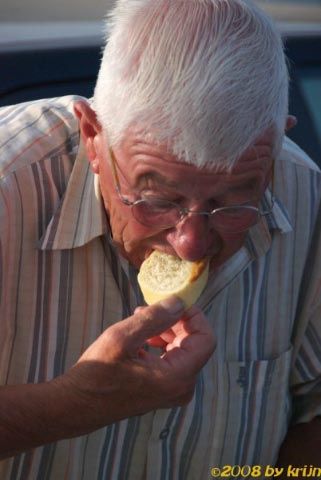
(80, 217)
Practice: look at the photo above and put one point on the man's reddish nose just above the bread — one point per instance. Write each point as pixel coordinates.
(192, 238)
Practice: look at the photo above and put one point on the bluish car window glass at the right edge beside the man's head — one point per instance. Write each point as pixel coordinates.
(310, 83)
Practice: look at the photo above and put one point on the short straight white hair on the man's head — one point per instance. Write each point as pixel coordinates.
(204, 77)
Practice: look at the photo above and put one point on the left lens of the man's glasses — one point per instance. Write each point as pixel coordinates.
(156, 213)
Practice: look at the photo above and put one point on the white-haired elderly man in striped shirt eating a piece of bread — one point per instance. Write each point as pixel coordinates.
(188, 115)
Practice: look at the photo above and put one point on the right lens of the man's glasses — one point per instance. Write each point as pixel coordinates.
(235, 219)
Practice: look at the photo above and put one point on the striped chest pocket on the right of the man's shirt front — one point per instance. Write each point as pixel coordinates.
(253, 406)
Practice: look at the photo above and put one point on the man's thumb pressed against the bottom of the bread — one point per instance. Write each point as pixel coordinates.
(148, 322)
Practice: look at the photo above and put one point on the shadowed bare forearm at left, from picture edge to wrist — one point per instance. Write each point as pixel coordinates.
(33, 415)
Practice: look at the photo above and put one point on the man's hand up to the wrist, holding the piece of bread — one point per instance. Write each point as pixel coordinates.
(116, 377)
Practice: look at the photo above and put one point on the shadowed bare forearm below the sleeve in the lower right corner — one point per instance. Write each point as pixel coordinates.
(302, 445)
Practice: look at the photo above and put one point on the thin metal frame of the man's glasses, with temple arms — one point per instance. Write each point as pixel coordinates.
(183, 210)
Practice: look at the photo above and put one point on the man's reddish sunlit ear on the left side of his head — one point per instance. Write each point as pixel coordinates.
(90, 129)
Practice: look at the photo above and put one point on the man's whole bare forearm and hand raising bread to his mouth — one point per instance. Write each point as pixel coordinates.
(115, 378)
